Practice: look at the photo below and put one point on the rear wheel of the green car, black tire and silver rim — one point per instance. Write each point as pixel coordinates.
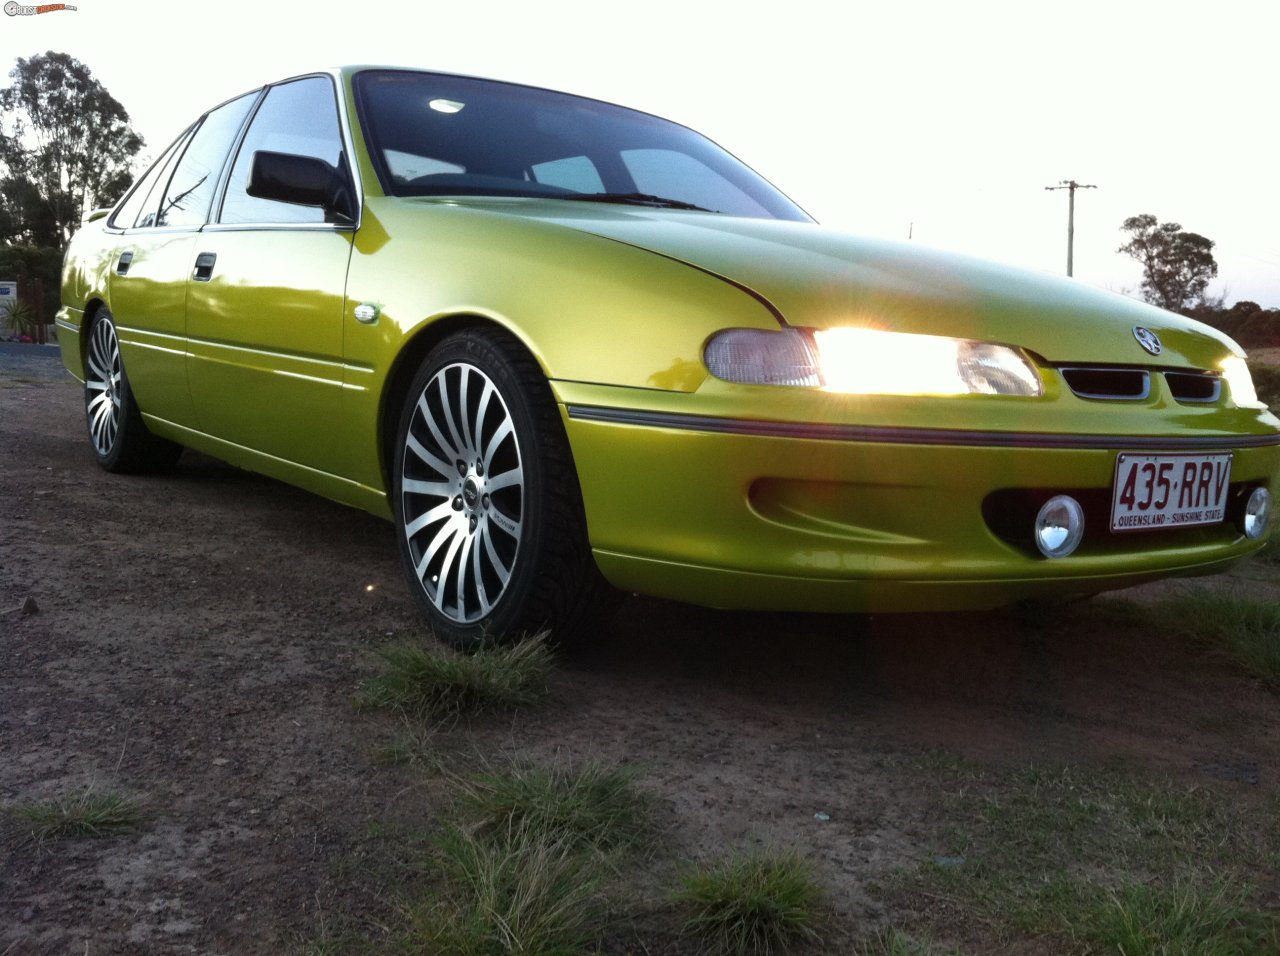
(121, 441)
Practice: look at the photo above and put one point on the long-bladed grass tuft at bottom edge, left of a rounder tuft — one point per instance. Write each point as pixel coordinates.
(520, 891)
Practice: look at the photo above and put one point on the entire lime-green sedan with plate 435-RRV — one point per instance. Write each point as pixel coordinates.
(570, 347)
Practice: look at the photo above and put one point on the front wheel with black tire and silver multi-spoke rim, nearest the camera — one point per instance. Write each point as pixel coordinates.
(488, 509)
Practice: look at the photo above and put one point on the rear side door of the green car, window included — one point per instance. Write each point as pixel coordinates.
(148, 281)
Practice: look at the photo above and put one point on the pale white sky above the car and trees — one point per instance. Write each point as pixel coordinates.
(943, 122)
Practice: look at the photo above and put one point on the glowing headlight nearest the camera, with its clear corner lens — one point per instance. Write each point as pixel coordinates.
(871, 362)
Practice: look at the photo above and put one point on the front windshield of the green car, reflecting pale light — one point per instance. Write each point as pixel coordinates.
(435, 135)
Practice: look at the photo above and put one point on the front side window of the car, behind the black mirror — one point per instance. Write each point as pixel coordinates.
(299, 118)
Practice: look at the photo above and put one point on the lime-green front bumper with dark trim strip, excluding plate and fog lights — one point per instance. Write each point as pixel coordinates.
(767, 515)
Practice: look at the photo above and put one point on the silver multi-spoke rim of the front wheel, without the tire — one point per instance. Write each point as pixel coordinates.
(463, 493)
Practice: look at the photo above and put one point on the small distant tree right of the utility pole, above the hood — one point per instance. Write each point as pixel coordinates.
(1177, 266)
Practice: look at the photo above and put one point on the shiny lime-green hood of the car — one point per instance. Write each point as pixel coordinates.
(816, 277)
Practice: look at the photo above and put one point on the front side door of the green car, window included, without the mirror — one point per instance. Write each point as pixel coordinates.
(267, 292)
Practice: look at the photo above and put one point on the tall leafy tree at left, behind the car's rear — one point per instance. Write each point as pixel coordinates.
(66, 147)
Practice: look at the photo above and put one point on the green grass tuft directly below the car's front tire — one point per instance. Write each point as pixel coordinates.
(440, 684)
